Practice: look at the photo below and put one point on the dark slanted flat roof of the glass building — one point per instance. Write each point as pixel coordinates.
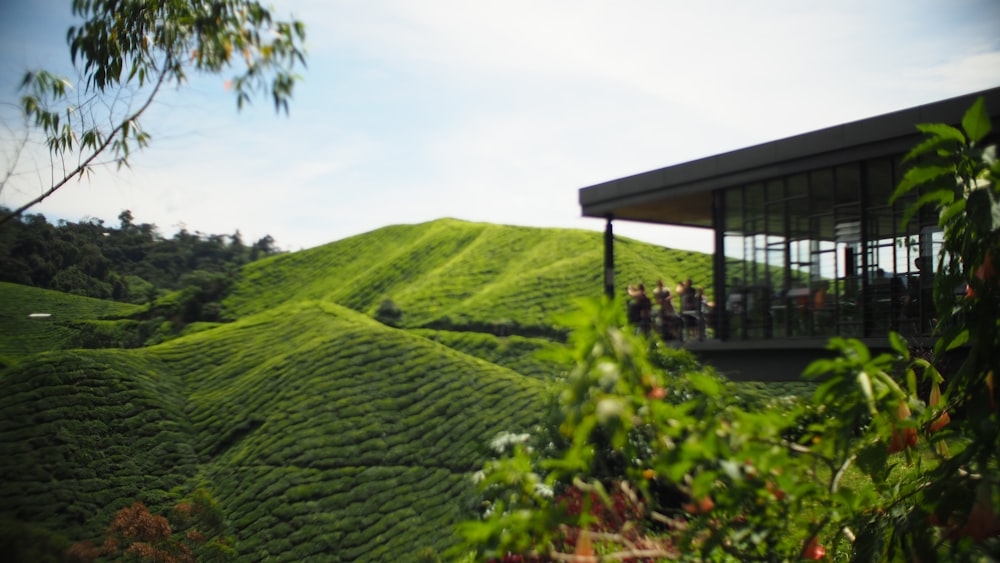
(682, 194)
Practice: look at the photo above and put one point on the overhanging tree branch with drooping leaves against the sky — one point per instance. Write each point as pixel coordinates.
(127, 51)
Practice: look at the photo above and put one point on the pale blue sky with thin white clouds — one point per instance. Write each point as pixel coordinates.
(496, 112)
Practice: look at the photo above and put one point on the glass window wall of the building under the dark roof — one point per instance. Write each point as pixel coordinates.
(822, 253)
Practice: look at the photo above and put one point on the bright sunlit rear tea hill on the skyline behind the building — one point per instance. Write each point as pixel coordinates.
(454, 273)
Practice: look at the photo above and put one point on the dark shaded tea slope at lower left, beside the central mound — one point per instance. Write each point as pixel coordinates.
(86, 431)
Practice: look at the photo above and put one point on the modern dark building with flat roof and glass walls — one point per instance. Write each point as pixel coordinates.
(807, 245)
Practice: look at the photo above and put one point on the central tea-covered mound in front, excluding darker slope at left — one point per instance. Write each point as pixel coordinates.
(355, 437)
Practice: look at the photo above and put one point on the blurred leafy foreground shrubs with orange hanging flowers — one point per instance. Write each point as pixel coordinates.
(646, 458)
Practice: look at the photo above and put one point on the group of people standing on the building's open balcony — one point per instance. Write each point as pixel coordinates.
(677, 316)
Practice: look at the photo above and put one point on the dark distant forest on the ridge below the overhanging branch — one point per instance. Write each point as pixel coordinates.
(131, 262)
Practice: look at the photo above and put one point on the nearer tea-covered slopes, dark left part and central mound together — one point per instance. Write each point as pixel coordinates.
(317, 429)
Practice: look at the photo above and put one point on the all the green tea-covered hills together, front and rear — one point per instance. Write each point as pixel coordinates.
(321, 432)
